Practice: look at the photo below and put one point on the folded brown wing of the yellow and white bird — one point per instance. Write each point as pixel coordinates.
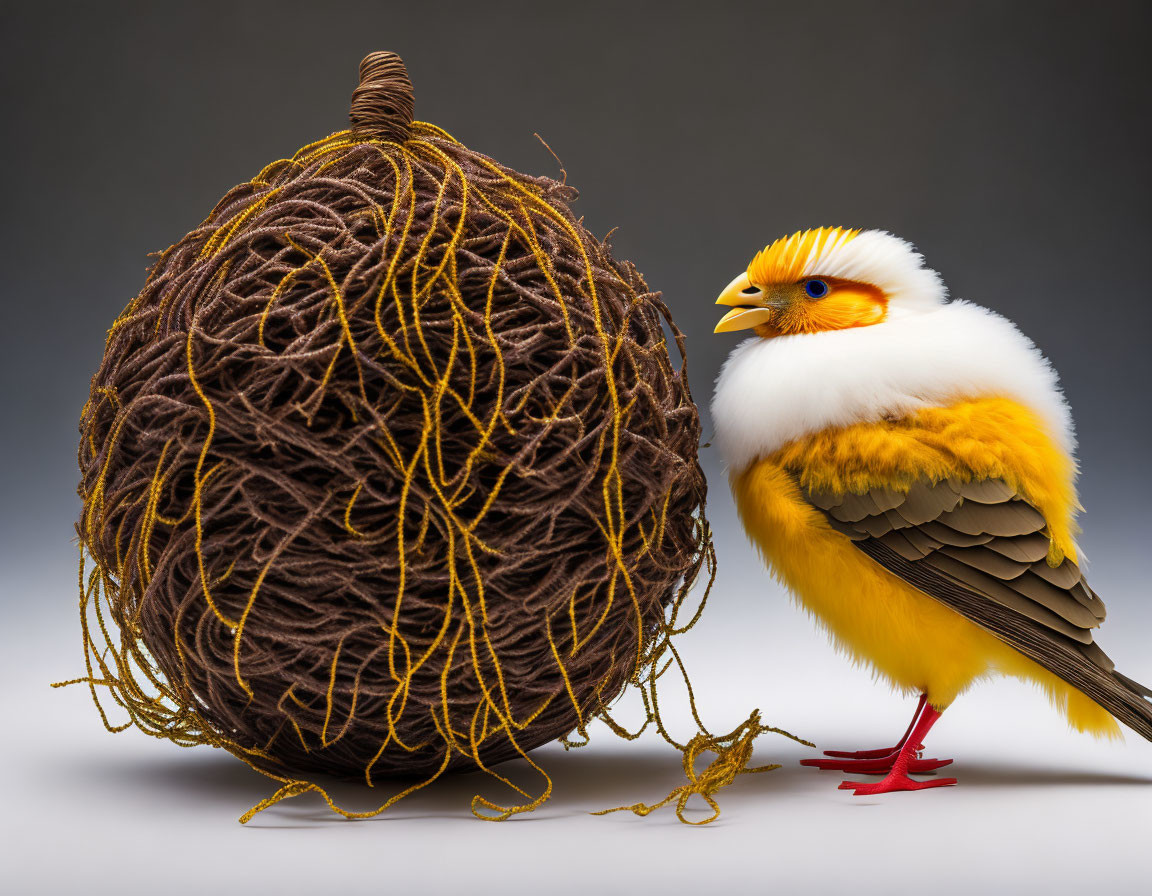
(982, 550)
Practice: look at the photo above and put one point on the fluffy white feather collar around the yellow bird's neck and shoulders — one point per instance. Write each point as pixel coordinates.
(775, 391)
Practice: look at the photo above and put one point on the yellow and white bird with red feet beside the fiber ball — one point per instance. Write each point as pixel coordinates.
(906, 467)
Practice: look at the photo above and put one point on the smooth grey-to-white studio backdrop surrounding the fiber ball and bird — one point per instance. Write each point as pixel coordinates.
(1010, 141)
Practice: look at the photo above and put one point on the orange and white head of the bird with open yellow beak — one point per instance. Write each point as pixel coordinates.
(829, 279)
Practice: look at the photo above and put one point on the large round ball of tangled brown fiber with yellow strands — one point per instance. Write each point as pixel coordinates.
(388, 472)
